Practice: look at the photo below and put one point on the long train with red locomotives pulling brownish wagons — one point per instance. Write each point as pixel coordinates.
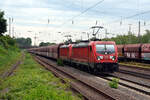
(96, 56)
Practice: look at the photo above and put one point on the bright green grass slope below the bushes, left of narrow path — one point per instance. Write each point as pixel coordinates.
(8, 57)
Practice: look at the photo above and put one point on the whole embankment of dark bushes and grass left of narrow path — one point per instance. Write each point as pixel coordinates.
(9, 53)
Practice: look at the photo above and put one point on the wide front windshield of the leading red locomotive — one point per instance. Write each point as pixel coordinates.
(105, 48)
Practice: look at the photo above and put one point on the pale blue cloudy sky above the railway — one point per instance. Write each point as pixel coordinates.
(53, 20)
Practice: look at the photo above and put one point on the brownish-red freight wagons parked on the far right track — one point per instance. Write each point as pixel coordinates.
(138, 52)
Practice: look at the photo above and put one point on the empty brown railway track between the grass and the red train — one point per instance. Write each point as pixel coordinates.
(83, 84)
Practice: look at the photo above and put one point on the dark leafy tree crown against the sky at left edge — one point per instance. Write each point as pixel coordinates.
(3, 23)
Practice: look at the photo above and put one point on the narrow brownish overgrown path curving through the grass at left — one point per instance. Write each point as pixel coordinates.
(13, 67)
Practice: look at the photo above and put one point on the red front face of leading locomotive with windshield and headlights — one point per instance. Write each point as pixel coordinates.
(106, 56)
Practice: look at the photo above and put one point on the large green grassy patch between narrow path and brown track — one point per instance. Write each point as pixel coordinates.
(33, 82)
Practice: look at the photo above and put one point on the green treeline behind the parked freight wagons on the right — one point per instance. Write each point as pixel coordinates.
(130, 38)
